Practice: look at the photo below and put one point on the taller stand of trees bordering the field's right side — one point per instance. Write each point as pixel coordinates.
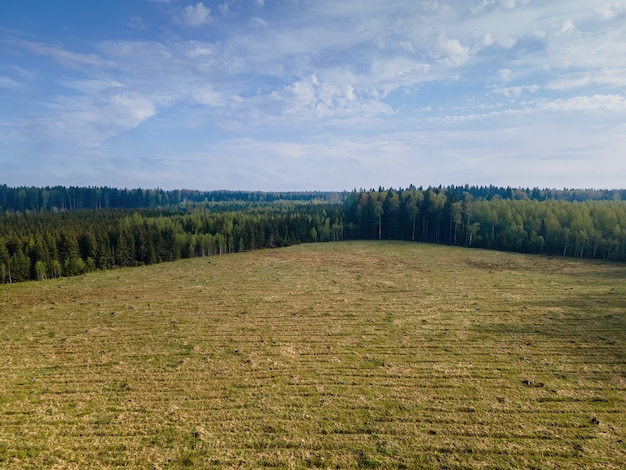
(594, 228)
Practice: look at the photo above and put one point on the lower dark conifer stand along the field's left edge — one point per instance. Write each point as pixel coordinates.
(42, 245)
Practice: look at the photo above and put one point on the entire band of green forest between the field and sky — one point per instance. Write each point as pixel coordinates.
(66, 231)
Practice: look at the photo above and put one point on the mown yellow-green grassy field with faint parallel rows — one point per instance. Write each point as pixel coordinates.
(342, 355)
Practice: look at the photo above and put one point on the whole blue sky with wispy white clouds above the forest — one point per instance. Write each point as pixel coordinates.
(313, 94)
